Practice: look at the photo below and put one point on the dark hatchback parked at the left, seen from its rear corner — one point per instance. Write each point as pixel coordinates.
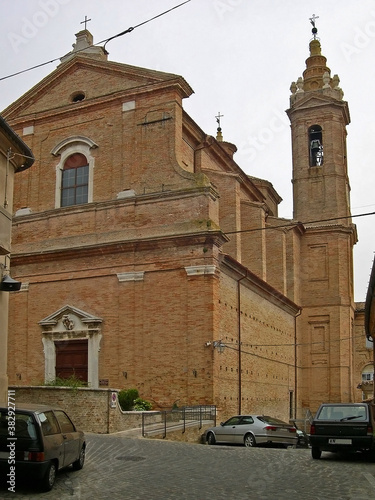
(37, 441)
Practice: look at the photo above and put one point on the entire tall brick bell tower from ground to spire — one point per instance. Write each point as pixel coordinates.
(319, 116)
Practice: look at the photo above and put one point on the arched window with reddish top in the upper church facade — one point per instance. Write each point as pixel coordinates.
(75, 180)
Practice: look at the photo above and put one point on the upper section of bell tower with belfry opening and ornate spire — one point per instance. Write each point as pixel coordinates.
(319, 117)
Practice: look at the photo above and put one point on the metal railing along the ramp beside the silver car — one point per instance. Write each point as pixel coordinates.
(180, 418)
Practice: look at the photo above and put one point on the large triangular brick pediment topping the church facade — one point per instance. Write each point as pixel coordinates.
(95, 80)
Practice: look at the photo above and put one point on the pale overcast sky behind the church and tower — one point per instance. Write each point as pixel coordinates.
(240, 57)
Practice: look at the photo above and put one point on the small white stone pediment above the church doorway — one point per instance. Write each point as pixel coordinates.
(69, 318)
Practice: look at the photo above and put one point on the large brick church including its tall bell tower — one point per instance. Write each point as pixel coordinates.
(149, 259)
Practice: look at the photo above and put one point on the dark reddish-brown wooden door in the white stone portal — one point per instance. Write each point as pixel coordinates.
(72, 359)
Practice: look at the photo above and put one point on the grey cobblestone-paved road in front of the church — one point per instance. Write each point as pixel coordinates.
(119, 467)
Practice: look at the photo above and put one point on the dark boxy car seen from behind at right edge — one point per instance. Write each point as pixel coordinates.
(341, 427)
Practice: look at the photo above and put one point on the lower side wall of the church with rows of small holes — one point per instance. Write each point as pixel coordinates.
(258, 328)
